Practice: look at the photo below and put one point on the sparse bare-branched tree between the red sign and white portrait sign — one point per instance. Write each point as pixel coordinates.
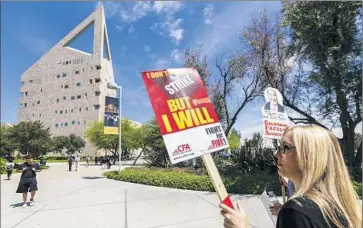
(236, 85)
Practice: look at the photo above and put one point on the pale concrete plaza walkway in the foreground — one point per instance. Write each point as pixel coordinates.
(86, 199)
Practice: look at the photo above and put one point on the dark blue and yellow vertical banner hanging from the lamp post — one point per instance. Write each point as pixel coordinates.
(111, 118)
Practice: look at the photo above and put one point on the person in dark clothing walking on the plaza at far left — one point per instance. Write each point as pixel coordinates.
(28, 181)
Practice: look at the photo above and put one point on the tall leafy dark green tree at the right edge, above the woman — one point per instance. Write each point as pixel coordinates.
(328, 35)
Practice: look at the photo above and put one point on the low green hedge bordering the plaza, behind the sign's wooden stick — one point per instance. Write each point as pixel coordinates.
(186, 179)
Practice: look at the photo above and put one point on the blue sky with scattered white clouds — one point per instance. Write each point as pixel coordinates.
(143, 36)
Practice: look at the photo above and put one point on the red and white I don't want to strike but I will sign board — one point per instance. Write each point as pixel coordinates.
(186, 117)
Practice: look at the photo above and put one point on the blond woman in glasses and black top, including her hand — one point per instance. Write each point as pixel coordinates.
(310, 156)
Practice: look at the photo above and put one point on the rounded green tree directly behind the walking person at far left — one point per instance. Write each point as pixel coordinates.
(32, 137)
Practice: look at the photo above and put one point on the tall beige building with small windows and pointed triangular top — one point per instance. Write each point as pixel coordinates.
(66, 88)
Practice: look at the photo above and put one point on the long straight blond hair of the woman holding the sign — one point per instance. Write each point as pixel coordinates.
(326, 180)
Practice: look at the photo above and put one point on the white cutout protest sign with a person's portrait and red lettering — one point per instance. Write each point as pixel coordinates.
(275, 119)
